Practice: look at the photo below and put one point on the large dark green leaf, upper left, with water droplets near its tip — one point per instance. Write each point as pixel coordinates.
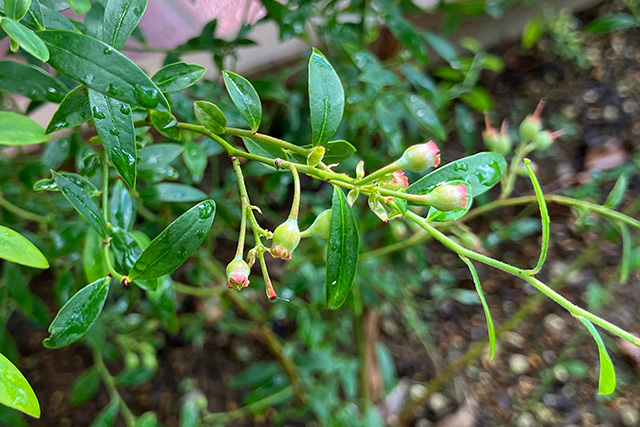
(102, 68)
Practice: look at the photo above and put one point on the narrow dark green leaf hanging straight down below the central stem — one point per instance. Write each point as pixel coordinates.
(342, 250)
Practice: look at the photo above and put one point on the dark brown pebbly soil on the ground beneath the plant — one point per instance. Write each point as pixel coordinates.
(604, 103)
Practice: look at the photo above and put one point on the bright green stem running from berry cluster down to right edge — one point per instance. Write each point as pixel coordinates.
(525, 275)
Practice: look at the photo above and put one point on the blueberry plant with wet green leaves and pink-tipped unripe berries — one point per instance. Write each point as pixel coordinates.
(103, 193)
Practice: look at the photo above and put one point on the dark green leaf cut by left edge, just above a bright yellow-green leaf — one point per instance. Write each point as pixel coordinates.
(31, 81)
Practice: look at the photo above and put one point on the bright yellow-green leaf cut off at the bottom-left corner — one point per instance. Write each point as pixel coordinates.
(15, 391)
